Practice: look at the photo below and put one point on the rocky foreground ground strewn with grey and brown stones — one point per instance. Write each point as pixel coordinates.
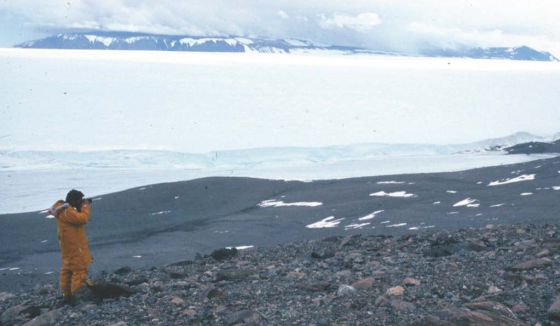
(496, 275)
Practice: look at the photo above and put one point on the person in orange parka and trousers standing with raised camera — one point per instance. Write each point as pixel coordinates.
(72, 216)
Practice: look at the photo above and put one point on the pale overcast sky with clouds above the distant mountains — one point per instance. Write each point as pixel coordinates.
(390, 25)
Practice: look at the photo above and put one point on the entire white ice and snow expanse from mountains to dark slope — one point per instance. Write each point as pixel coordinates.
(104, 121)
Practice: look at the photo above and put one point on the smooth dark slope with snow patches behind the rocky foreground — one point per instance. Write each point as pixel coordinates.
(164, 223)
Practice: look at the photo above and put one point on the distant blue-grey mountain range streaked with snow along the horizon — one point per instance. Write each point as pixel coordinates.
(142, 41)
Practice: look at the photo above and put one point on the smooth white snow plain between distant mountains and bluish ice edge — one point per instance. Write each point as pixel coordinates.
(201, 102)
